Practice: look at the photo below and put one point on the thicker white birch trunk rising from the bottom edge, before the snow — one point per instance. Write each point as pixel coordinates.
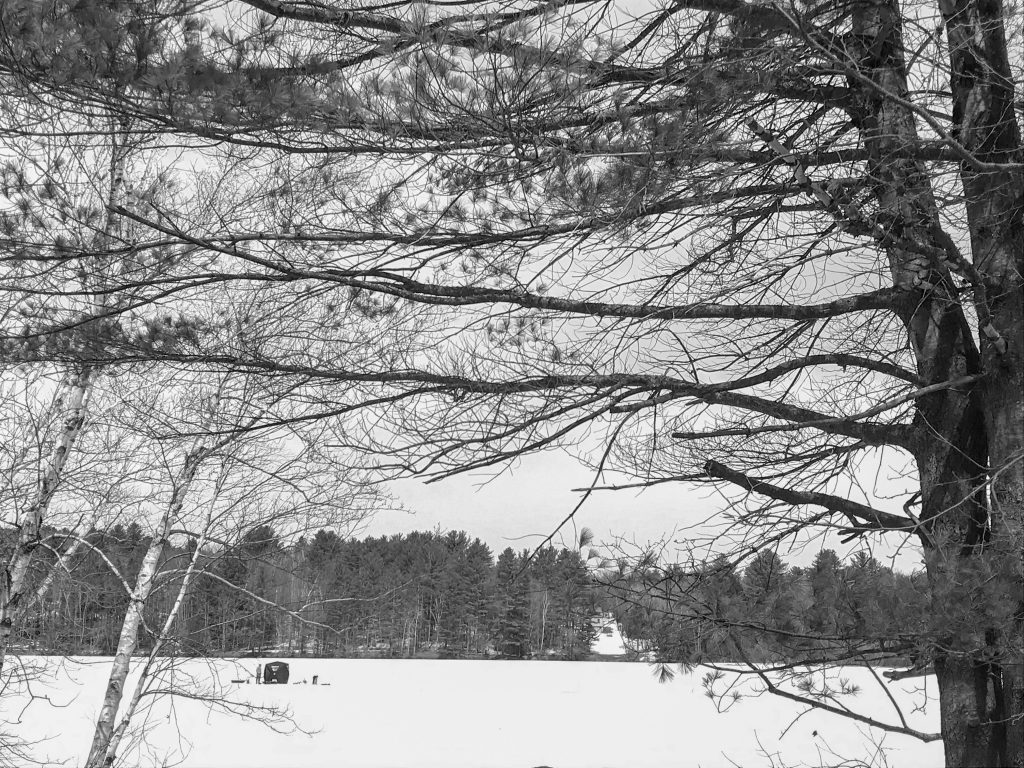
(129, 641)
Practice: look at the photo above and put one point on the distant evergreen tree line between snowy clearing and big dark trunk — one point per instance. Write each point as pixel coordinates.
(771, 612)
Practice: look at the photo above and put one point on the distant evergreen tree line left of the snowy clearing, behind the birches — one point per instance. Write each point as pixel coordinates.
(403, 595)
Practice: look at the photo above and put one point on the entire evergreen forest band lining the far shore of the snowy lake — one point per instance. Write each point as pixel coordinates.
(434, 594)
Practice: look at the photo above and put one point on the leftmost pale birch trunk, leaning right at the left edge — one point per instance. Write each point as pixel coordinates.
(15, 577)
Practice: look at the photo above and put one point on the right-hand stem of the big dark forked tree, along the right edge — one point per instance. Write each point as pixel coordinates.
(983, 88)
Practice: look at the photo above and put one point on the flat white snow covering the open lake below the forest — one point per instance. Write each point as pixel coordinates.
(465, 713)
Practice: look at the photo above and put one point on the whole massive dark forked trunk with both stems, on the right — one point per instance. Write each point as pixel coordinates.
(971, 456)
